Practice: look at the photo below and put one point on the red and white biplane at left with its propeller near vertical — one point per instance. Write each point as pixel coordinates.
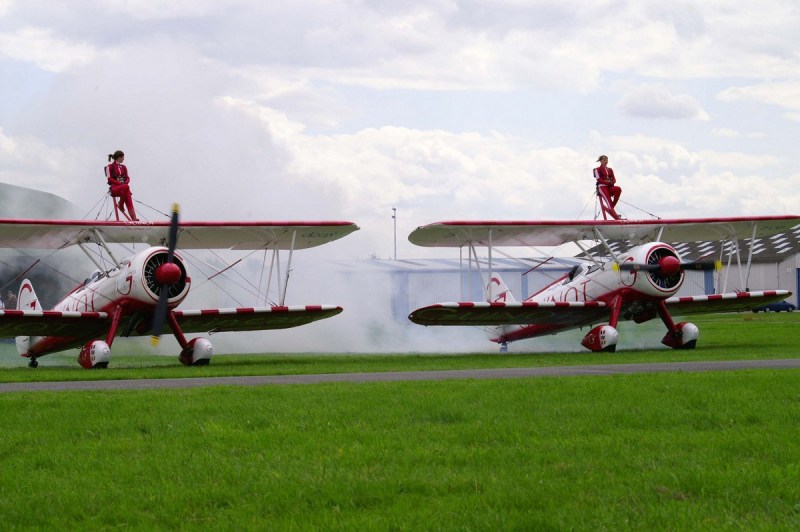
(136, 296)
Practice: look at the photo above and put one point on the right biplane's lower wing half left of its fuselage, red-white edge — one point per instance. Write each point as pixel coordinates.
(517, 313)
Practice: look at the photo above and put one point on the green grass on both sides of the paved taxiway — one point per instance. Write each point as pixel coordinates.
(653, 451)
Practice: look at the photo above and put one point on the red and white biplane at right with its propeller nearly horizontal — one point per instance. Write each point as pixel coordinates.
(631, 270)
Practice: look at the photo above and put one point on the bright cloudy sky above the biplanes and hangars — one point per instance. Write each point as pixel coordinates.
(444, 109)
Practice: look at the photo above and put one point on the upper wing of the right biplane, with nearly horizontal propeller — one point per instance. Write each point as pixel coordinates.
(555, 233)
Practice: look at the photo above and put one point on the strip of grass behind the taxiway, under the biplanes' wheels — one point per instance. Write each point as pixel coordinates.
(723, 337)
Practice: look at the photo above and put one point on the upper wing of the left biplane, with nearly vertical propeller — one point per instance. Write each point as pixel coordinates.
(56, 234)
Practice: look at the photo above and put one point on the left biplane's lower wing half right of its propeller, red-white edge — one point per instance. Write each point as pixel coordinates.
(252, 319)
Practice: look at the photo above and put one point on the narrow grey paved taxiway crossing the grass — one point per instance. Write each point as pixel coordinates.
(494, 373)
